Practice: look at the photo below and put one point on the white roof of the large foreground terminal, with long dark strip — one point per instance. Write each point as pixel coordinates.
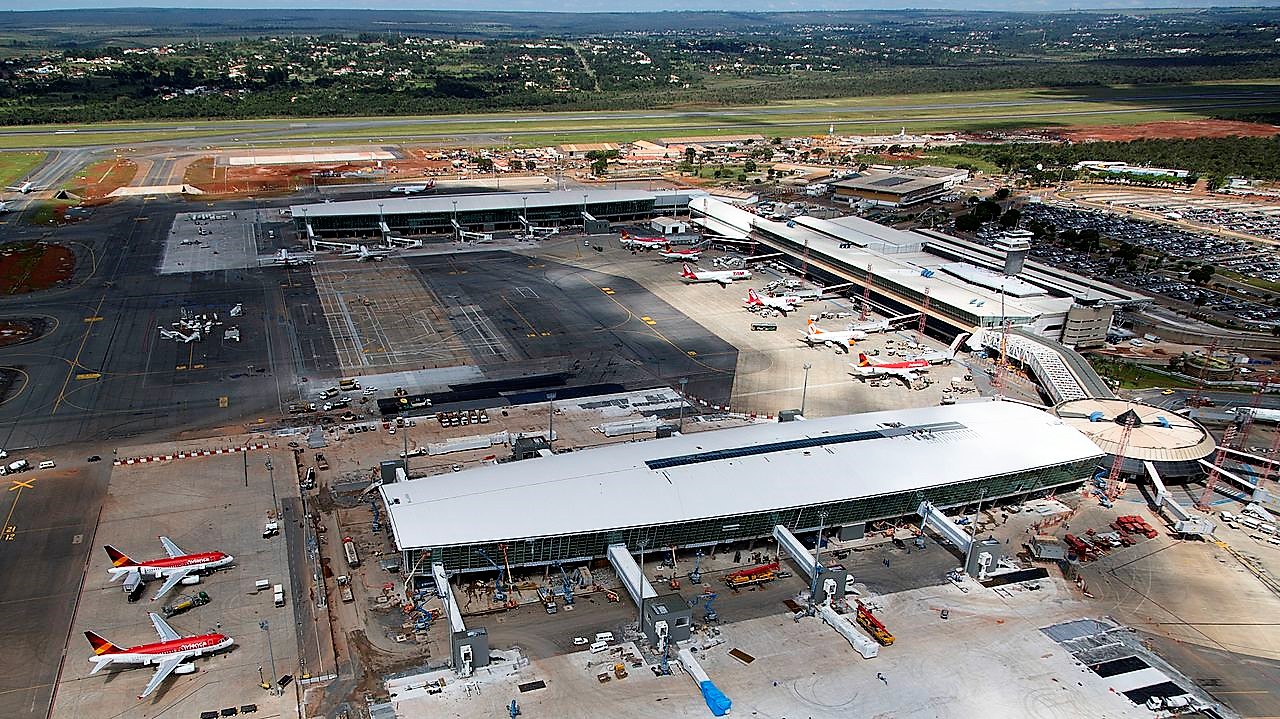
(674, 480)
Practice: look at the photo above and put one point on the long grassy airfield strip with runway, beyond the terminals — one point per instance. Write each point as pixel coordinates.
(994, 111)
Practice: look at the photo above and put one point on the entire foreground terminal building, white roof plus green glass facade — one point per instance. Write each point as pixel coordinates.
(734, 486)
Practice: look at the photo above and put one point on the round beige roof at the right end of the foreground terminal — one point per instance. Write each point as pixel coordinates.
(1159, 434)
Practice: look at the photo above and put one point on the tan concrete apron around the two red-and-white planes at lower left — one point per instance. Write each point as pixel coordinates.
(211, 503)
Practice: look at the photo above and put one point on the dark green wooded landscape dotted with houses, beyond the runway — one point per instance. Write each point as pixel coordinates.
(90, 67)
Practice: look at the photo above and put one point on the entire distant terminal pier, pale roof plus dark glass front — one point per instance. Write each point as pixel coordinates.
(482, 213)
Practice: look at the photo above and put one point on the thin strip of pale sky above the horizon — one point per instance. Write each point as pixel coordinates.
(629, 6)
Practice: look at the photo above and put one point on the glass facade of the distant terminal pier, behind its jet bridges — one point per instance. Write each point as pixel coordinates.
(500, 219)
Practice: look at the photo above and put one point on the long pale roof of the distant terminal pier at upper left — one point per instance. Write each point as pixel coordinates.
(467, 203)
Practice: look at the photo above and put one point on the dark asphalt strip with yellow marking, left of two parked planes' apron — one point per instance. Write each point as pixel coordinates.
(51, 520)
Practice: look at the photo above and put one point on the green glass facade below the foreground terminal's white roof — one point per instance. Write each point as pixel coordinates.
(724, 530)
